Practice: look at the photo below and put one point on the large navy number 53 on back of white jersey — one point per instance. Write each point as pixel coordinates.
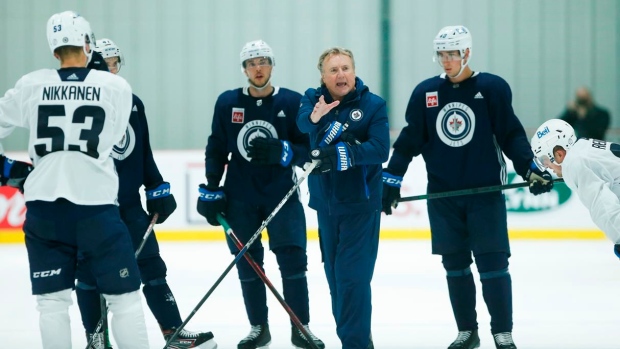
(57, 136)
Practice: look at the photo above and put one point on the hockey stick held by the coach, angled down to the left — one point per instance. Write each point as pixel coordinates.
(243, 250)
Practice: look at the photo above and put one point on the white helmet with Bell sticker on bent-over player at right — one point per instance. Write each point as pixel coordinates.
(552, 133)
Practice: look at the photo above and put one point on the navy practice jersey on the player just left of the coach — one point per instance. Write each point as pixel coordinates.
(238, 118)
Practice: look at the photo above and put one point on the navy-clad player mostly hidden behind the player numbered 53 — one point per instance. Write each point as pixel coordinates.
(136, 167)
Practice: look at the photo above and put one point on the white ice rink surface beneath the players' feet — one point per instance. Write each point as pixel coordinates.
(565, 297)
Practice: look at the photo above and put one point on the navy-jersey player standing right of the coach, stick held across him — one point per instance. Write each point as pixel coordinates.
(460, 122)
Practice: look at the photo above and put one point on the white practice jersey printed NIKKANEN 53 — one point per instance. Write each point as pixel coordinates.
(75, 116)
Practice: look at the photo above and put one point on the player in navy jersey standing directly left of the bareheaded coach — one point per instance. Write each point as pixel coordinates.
(256, 126)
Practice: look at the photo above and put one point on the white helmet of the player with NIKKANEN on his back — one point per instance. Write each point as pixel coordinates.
(69, 29)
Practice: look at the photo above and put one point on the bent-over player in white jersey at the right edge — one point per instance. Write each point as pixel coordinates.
(590, 168)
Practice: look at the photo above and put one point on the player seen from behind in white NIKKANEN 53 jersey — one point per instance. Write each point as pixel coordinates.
(75, 116)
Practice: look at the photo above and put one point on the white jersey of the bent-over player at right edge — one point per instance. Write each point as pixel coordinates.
(591, 168)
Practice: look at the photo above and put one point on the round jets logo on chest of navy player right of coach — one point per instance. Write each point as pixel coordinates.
(455, 124)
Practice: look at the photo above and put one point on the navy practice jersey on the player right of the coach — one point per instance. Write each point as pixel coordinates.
(461, 131)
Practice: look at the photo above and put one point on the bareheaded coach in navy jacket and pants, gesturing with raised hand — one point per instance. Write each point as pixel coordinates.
(349, 134)
